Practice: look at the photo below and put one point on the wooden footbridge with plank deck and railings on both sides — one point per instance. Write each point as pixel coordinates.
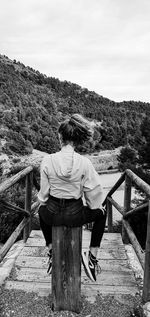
(29, 270)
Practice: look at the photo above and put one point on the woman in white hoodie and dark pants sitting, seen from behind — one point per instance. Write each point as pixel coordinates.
(65, 177)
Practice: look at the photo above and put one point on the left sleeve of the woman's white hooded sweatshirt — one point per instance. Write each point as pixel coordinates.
(43, 194)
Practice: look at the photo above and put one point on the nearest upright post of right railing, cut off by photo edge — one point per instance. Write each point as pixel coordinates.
(146, 283)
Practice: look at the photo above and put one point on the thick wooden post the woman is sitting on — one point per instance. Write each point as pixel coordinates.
(66, 268)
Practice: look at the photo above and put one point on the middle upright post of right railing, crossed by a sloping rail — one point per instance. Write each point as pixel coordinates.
(127, 203)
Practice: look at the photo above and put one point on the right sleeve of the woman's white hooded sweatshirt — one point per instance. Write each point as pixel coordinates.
(92, 187)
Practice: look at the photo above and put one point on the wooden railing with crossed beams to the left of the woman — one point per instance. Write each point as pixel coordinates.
(28, 211)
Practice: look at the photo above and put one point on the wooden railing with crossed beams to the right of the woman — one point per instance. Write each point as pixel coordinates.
(130, 180)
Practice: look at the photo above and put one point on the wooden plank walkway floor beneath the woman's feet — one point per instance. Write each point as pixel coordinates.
(30, 269)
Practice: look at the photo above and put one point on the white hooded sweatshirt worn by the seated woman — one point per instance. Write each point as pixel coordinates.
(67, 174)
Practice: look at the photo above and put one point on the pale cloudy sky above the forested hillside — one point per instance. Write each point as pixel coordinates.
(102, 45)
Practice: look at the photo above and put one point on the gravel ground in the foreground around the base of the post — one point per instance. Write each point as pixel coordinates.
(15, 303)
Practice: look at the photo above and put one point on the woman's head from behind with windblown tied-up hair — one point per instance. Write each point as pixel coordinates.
(75, 130)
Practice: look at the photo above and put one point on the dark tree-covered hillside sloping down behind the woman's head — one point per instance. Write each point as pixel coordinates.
(32, 105)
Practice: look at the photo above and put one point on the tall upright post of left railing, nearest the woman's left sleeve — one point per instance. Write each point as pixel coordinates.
(28, 198)
